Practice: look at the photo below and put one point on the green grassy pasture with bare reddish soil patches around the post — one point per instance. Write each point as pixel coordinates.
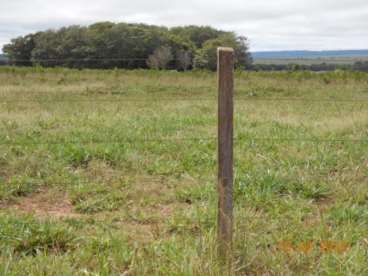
(102, 173)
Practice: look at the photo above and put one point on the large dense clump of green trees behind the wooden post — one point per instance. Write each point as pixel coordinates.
(130, 46)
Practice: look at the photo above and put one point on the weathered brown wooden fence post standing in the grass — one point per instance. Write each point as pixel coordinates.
(225, 150)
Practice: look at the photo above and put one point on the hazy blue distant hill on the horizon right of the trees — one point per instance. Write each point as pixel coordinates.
(310, 54)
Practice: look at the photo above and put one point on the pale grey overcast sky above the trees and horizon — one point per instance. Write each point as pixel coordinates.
(270, 25)
